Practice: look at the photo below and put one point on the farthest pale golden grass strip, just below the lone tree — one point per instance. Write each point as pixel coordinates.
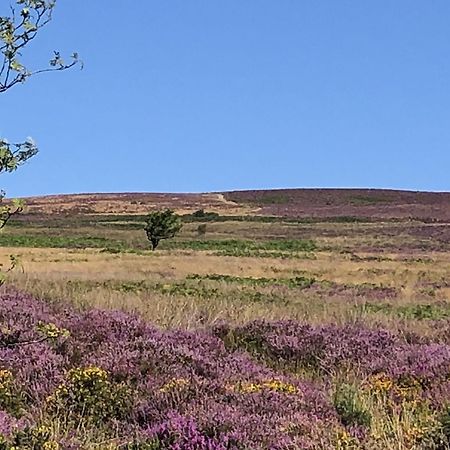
(93, 264)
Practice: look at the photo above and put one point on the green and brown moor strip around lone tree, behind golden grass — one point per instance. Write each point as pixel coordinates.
(247, 237)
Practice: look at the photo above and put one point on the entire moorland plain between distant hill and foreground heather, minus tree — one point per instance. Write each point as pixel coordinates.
(362, 271)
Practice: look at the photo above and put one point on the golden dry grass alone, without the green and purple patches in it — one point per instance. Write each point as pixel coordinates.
(52, 273)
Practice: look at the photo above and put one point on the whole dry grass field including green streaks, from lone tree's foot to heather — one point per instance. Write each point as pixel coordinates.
(347, 286)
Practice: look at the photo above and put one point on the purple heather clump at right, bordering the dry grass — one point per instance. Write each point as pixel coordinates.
(329, 349)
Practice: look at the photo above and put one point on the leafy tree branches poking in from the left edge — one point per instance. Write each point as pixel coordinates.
(24, 21)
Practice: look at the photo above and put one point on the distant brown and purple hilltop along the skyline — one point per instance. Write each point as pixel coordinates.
(321, 203)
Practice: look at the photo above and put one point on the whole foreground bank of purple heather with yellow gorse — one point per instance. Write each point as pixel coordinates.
(103, 379)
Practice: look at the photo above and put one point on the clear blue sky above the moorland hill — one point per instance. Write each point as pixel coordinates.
(209, 95)
